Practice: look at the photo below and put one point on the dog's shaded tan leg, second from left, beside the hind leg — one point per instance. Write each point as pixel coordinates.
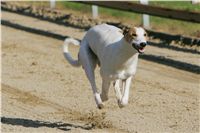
(105, 89)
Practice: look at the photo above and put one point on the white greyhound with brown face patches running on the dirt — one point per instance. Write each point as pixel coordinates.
(116, 52)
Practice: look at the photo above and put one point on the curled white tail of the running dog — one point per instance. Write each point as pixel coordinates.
(67, 55)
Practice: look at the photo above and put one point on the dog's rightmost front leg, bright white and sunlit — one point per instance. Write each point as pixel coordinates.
(126, 88)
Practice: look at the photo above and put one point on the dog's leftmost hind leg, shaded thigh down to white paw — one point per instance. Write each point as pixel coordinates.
(89, 62)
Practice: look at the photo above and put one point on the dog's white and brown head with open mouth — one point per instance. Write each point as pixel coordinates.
(137, 37)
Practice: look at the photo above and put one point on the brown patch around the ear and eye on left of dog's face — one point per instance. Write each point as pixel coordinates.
(129, 34)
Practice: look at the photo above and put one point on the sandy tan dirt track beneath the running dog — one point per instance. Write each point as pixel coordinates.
(41, 92)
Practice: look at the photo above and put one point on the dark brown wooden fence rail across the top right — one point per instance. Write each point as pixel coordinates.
(147, 9)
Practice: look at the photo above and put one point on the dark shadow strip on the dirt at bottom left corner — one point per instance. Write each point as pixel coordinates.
(37, 124)
